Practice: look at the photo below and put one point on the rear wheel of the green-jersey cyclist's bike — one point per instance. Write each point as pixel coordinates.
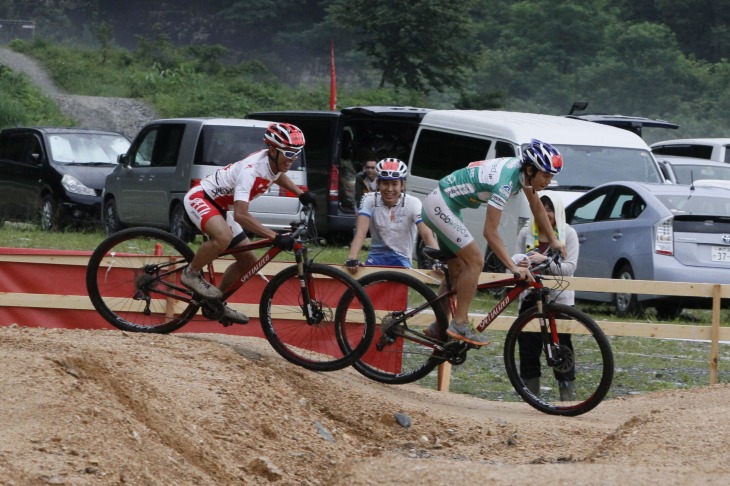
(401, 353)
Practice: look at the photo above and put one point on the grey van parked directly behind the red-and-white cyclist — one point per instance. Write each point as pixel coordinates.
(168, 156)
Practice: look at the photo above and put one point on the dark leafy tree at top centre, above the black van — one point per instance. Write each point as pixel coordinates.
(421, 44)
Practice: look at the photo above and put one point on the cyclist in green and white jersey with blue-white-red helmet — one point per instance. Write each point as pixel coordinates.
(492, 182)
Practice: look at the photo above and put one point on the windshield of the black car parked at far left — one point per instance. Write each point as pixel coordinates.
(87, 148)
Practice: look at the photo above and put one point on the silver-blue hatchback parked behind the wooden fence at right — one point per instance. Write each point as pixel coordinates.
(644, 231)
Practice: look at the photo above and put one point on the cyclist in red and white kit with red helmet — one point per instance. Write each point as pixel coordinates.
(234, 187)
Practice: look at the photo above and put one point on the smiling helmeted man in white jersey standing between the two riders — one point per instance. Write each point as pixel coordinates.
(393, 219)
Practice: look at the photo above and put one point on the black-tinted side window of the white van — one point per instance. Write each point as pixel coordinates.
(438, 154)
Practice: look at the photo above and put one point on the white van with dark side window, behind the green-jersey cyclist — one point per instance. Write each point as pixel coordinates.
(593, 153)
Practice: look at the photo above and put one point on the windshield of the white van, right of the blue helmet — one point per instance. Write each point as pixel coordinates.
(589, 166)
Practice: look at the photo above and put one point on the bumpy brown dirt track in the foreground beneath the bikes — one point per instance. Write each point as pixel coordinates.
(108, 407)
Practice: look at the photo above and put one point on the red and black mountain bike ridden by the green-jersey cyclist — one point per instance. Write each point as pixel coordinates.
(574, 356)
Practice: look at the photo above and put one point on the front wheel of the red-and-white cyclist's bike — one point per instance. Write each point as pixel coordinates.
(314, 345)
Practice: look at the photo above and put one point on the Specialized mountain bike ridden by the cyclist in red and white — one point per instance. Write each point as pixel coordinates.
(133, 280)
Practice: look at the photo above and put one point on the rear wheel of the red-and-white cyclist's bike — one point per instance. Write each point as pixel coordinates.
(127, 273)
